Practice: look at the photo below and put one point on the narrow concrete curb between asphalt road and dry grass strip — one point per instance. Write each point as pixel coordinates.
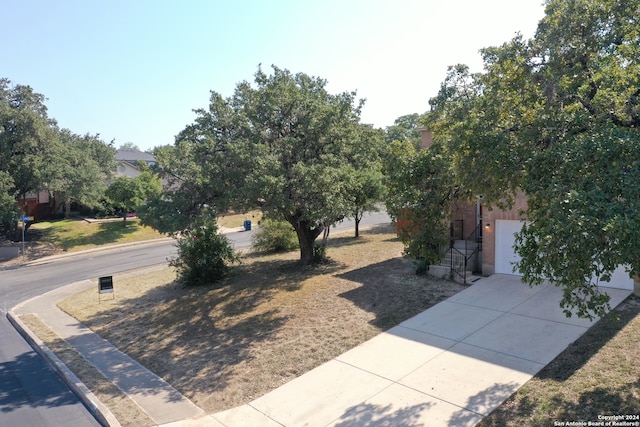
(100, 412)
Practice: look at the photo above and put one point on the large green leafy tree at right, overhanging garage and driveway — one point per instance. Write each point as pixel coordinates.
(557, 117)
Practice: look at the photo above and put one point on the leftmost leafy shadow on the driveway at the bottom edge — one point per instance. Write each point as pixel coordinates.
(367, 414)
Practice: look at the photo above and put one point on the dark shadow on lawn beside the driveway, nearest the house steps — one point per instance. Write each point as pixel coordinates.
(394, 282)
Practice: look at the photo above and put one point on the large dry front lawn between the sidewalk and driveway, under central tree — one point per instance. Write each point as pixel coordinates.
(268, 323)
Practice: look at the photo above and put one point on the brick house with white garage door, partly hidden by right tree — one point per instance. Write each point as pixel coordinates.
(493, 230)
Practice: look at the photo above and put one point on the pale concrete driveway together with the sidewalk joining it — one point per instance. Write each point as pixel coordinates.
(450, 365)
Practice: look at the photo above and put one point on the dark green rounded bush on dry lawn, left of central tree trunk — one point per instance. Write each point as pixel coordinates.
(204, 255)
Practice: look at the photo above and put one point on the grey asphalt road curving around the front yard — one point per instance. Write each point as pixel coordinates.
(31, 393)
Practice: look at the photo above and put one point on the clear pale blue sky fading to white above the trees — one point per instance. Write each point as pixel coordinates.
(133, 71)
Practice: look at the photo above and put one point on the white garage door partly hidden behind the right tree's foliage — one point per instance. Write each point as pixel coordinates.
(506, 256)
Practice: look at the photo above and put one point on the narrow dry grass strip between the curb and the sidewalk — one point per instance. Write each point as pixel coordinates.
(122, 407)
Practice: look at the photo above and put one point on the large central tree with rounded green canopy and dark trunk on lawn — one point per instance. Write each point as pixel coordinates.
(283, 144)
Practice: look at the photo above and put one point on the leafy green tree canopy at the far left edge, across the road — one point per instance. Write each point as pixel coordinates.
(36, 155)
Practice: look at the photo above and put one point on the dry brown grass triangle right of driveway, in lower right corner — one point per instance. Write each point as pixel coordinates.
(599, 374)
